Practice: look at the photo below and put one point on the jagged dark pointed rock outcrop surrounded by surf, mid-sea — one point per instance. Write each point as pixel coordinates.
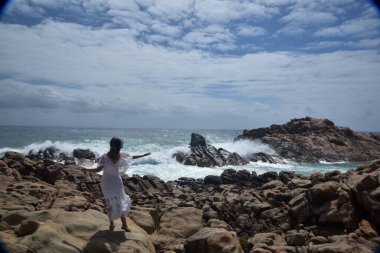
(204, 155)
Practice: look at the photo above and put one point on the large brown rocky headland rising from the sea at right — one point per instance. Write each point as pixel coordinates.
(314, 140)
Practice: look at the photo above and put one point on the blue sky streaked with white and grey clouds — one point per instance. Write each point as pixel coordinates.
(221, 64)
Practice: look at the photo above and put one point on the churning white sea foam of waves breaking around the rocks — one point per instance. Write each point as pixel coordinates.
(162, 164)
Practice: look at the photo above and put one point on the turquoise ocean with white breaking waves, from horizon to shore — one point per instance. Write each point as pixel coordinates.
(162, 143)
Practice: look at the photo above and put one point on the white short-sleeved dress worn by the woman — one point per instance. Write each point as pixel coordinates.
(117, 202)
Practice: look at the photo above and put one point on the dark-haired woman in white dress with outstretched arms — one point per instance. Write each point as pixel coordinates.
(114, 164)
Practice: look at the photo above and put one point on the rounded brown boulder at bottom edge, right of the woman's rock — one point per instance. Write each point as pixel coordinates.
(213, 240)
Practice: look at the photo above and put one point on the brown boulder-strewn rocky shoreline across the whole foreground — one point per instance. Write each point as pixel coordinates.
(51, 207)
